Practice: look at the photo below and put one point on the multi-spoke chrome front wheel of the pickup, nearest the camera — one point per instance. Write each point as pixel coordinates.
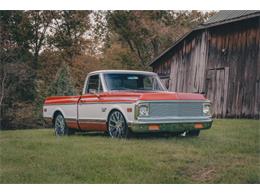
(117, 125)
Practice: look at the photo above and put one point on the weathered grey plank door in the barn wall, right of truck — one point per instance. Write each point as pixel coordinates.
(217, 89)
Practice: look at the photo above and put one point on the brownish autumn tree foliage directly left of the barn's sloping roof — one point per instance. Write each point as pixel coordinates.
(147, 33)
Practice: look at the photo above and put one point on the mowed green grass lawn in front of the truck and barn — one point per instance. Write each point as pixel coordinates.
(227, 153)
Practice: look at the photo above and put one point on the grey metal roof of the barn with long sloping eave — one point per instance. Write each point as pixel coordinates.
(221, 17)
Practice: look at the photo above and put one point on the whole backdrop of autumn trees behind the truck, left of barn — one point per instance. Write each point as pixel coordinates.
(46, 53)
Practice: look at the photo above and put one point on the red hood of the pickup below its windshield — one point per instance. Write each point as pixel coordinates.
(149, 96)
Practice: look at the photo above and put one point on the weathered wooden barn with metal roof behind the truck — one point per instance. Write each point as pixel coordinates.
(221, 59)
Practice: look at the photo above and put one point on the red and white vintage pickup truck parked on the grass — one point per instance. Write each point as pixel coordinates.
(122, 102)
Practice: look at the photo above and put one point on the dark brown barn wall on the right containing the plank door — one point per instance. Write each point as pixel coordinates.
(233, 69)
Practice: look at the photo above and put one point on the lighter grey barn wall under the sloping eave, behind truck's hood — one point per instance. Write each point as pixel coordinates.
(185, 68)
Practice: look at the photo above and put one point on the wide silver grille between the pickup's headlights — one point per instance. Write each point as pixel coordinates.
(178, 109)
